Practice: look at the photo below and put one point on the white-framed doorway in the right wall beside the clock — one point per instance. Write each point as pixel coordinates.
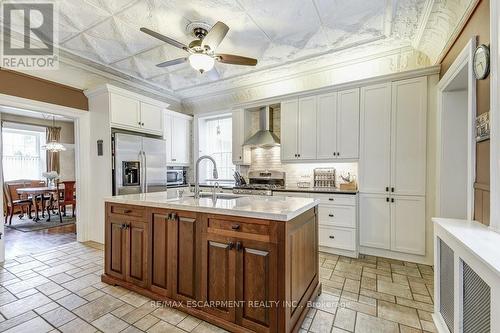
(456, 116)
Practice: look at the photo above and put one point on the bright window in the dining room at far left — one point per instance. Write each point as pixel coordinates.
(22, 154)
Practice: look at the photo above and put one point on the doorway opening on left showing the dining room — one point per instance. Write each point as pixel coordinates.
(44, 217)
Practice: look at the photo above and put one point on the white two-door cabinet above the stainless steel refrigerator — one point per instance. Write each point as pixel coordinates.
(127, 110)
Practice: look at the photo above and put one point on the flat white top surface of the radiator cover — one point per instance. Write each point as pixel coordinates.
(480, 240)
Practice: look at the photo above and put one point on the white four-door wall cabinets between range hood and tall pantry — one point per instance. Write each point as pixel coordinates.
(323, 127)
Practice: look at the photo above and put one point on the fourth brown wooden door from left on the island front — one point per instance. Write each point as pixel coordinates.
(186, 257)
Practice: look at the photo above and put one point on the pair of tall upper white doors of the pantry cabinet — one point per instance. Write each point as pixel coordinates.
(393, 137)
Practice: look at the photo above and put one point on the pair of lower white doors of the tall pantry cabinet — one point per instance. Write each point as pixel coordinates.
(393, 222)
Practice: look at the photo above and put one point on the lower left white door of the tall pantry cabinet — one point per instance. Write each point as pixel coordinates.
(374, 221)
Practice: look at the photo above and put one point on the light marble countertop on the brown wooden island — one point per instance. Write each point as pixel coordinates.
(255, 206)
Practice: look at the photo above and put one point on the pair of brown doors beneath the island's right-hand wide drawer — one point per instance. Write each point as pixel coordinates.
(244, 272)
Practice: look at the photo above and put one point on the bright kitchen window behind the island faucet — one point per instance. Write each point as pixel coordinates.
(215, 136)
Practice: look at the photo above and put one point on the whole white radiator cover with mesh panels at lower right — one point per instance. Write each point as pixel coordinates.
(467, 277)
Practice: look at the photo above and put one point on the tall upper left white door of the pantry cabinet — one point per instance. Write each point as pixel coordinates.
(375, 132)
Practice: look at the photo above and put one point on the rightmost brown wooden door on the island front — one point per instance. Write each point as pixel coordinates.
(256, 283)
